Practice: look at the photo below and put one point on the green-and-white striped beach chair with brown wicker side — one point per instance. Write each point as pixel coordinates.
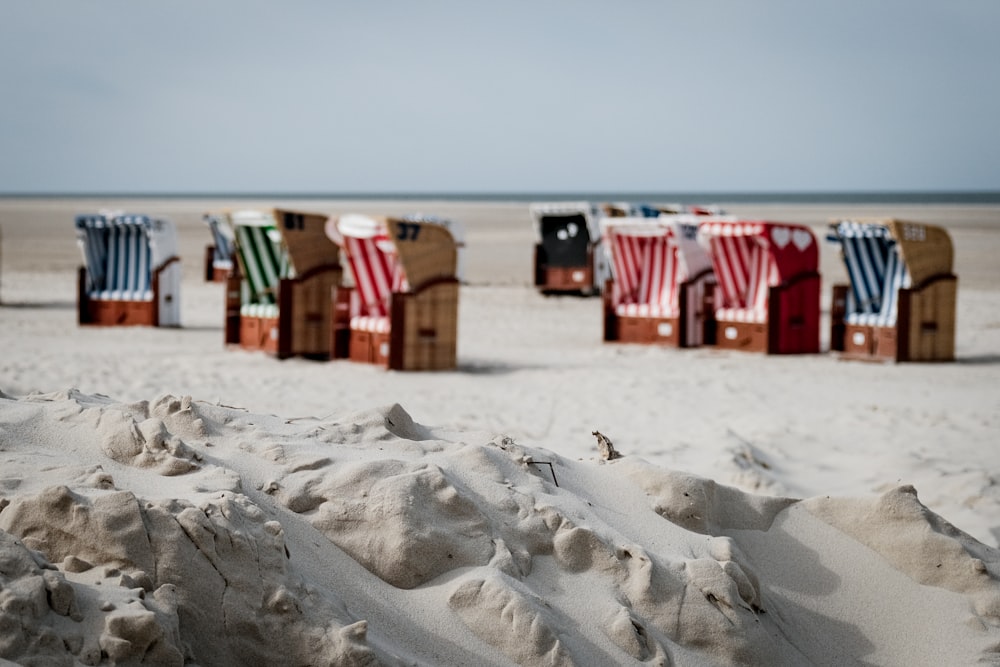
(278, 294)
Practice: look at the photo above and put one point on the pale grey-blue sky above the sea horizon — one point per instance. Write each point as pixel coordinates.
(386, 96)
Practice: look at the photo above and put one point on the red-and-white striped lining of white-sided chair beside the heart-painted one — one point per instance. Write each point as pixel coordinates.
(646, 270)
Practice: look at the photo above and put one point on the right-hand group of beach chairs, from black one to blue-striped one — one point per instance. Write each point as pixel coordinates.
(691, 276)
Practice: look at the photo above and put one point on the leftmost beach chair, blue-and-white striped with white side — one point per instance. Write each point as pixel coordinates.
(131, 273)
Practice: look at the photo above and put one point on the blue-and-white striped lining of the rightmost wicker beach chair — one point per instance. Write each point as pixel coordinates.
(876, 271)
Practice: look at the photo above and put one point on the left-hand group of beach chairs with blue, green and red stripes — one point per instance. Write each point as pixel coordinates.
(378, 290)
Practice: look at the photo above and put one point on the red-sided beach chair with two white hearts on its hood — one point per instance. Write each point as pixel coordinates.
(767, 297)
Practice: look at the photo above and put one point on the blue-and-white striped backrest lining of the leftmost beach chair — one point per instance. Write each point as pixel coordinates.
(118, 256)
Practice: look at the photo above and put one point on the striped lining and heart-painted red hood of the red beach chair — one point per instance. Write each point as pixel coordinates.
(749, 257)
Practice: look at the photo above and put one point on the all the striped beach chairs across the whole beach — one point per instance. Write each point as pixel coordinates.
(384, 290)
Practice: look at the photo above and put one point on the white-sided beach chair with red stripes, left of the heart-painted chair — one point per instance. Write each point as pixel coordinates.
(661, 284)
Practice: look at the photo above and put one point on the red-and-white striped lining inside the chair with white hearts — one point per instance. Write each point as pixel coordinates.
(744, 267)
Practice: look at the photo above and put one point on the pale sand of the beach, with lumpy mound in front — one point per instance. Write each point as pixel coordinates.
(164, 500)
